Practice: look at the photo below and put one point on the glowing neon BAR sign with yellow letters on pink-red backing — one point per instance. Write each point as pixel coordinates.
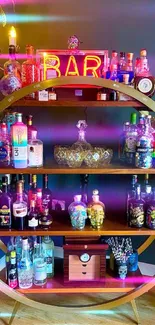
(67, 63)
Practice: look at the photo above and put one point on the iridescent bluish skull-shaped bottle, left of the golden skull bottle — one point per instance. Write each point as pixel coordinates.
(78, 213)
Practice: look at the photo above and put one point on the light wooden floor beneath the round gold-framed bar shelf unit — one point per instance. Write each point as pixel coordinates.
(120, 316)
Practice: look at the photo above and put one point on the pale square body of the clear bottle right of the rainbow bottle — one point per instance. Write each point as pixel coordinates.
(35, 155)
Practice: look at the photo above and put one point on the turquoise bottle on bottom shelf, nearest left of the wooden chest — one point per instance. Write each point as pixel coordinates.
(48, 249)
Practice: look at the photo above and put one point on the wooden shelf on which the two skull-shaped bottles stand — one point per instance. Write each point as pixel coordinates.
(111, 227)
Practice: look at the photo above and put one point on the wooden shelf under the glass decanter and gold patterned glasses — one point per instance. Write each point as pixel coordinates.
(52, 168)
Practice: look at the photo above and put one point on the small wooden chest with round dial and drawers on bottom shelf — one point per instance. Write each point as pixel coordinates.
(84, 262)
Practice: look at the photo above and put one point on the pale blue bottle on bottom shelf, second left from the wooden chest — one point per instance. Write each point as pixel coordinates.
(39, 263)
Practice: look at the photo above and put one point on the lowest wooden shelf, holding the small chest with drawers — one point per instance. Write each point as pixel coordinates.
(110, 284)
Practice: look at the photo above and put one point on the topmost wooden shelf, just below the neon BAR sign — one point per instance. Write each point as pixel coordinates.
(76, 103)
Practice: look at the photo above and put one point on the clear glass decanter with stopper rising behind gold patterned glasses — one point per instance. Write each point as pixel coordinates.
(81, 144)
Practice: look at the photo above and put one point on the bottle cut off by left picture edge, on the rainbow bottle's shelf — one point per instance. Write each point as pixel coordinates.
(5, 148)
